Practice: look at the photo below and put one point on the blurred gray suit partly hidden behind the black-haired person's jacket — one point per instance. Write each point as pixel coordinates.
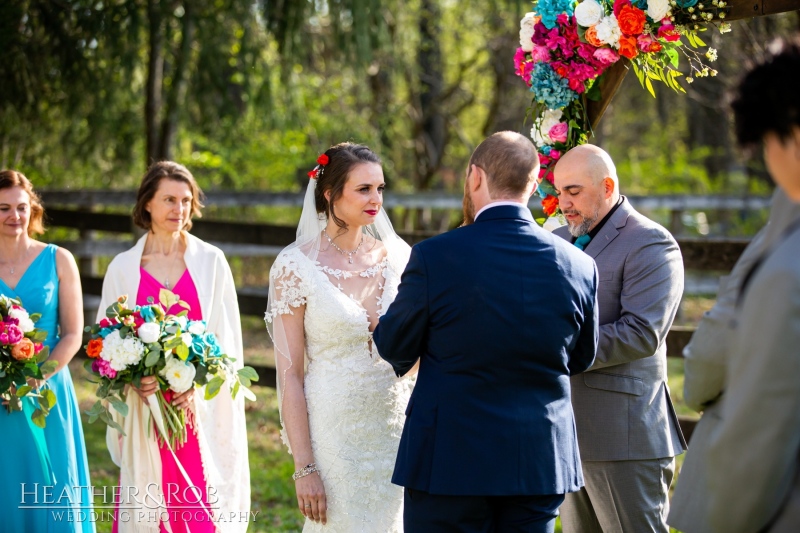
(706, 360)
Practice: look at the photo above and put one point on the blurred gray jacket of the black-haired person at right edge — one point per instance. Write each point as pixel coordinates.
(752, 456)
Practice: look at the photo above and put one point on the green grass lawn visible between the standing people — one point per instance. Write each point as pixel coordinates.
(270, 465)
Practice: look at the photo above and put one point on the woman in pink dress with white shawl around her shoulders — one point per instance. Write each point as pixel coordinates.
(203, 485)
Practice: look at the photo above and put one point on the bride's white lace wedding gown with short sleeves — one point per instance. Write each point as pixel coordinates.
(355, 402)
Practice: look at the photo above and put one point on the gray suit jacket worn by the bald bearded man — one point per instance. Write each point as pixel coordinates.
(622, 406)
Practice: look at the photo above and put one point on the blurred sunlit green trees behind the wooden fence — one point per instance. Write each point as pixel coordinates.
(248, 93)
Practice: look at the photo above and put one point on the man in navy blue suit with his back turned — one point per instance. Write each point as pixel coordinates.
(499, 315)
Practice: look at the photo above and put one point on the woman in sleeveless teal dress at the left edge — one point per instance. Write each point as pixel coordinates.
(45, 278)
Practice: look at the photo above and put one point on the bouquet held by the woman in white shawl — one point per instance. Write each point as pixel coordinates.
(131, 343)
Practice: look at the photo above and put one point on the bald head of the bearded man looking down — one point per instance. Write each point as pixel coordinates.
(587, 184)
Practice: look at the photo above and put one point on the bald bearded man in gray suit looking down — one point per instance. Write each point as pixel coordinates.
(628, 432)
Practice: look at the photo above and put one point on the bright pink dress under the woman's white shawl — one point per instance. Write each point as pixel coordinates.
(185, 513)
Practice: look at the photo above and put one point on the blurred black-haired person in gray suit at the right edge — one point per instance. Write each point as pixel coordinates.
(753, 456)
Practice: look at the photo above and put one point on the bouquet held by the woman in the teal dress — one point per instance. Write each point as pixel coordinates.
(22, 356)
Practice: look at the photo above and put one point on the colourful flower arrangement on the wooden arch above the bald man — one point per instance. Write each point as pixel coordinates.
(567, 46)
